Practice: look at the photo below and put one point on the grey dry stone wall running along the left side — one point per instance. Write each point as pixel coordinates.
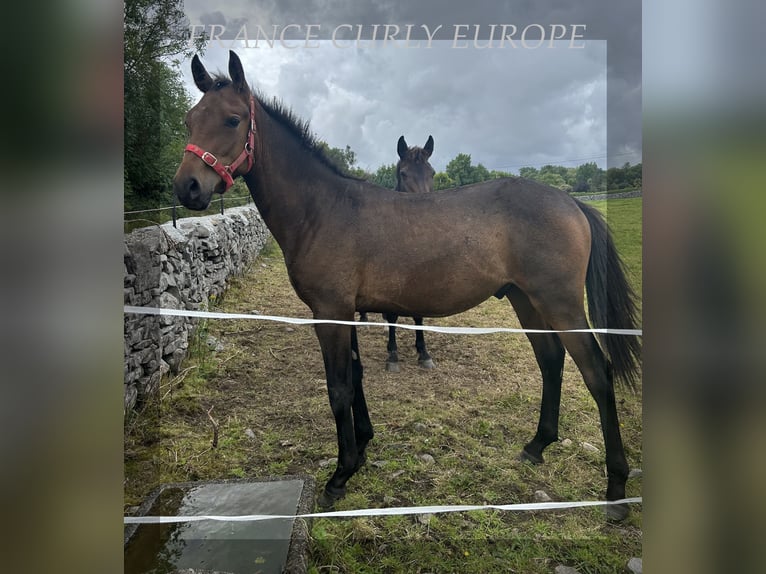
(179, 268)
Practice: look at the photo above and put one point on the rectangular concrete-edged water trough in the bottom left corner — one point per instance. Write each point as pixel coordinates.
(207, 547)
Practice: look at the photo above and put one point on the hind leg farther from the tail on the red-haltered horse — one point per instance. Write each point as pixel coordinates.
(549, 353)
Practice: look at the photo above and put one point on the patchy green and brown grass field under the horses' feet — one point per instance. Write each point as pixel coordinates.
(470, 416)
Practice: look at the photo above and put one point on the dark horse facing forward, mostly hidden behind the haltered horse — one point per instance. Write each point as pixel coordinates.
(414, 174)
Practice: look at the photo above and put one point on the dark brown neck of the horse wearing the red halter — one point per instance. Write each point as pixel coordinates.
(289, 185)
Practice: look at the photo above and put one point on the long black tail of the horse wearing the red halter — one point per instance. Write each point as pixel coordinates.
(611, 299)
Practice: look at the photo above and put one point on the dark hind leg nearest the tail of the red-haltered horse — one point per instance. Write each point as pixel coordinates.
(598, 378)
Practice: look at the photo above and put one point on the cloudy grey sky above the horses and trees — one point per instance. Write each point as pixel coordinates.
(506, 107)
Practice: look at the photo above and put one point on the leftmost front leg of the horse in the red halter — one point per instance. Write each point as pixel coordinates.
(335, 341)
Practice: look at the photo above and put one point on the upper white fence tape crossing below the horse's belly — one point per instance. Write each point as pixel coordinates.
(299, 321)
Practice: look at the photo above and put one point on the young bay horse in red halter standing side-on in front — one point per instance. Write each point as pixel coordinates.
(438, 254)
